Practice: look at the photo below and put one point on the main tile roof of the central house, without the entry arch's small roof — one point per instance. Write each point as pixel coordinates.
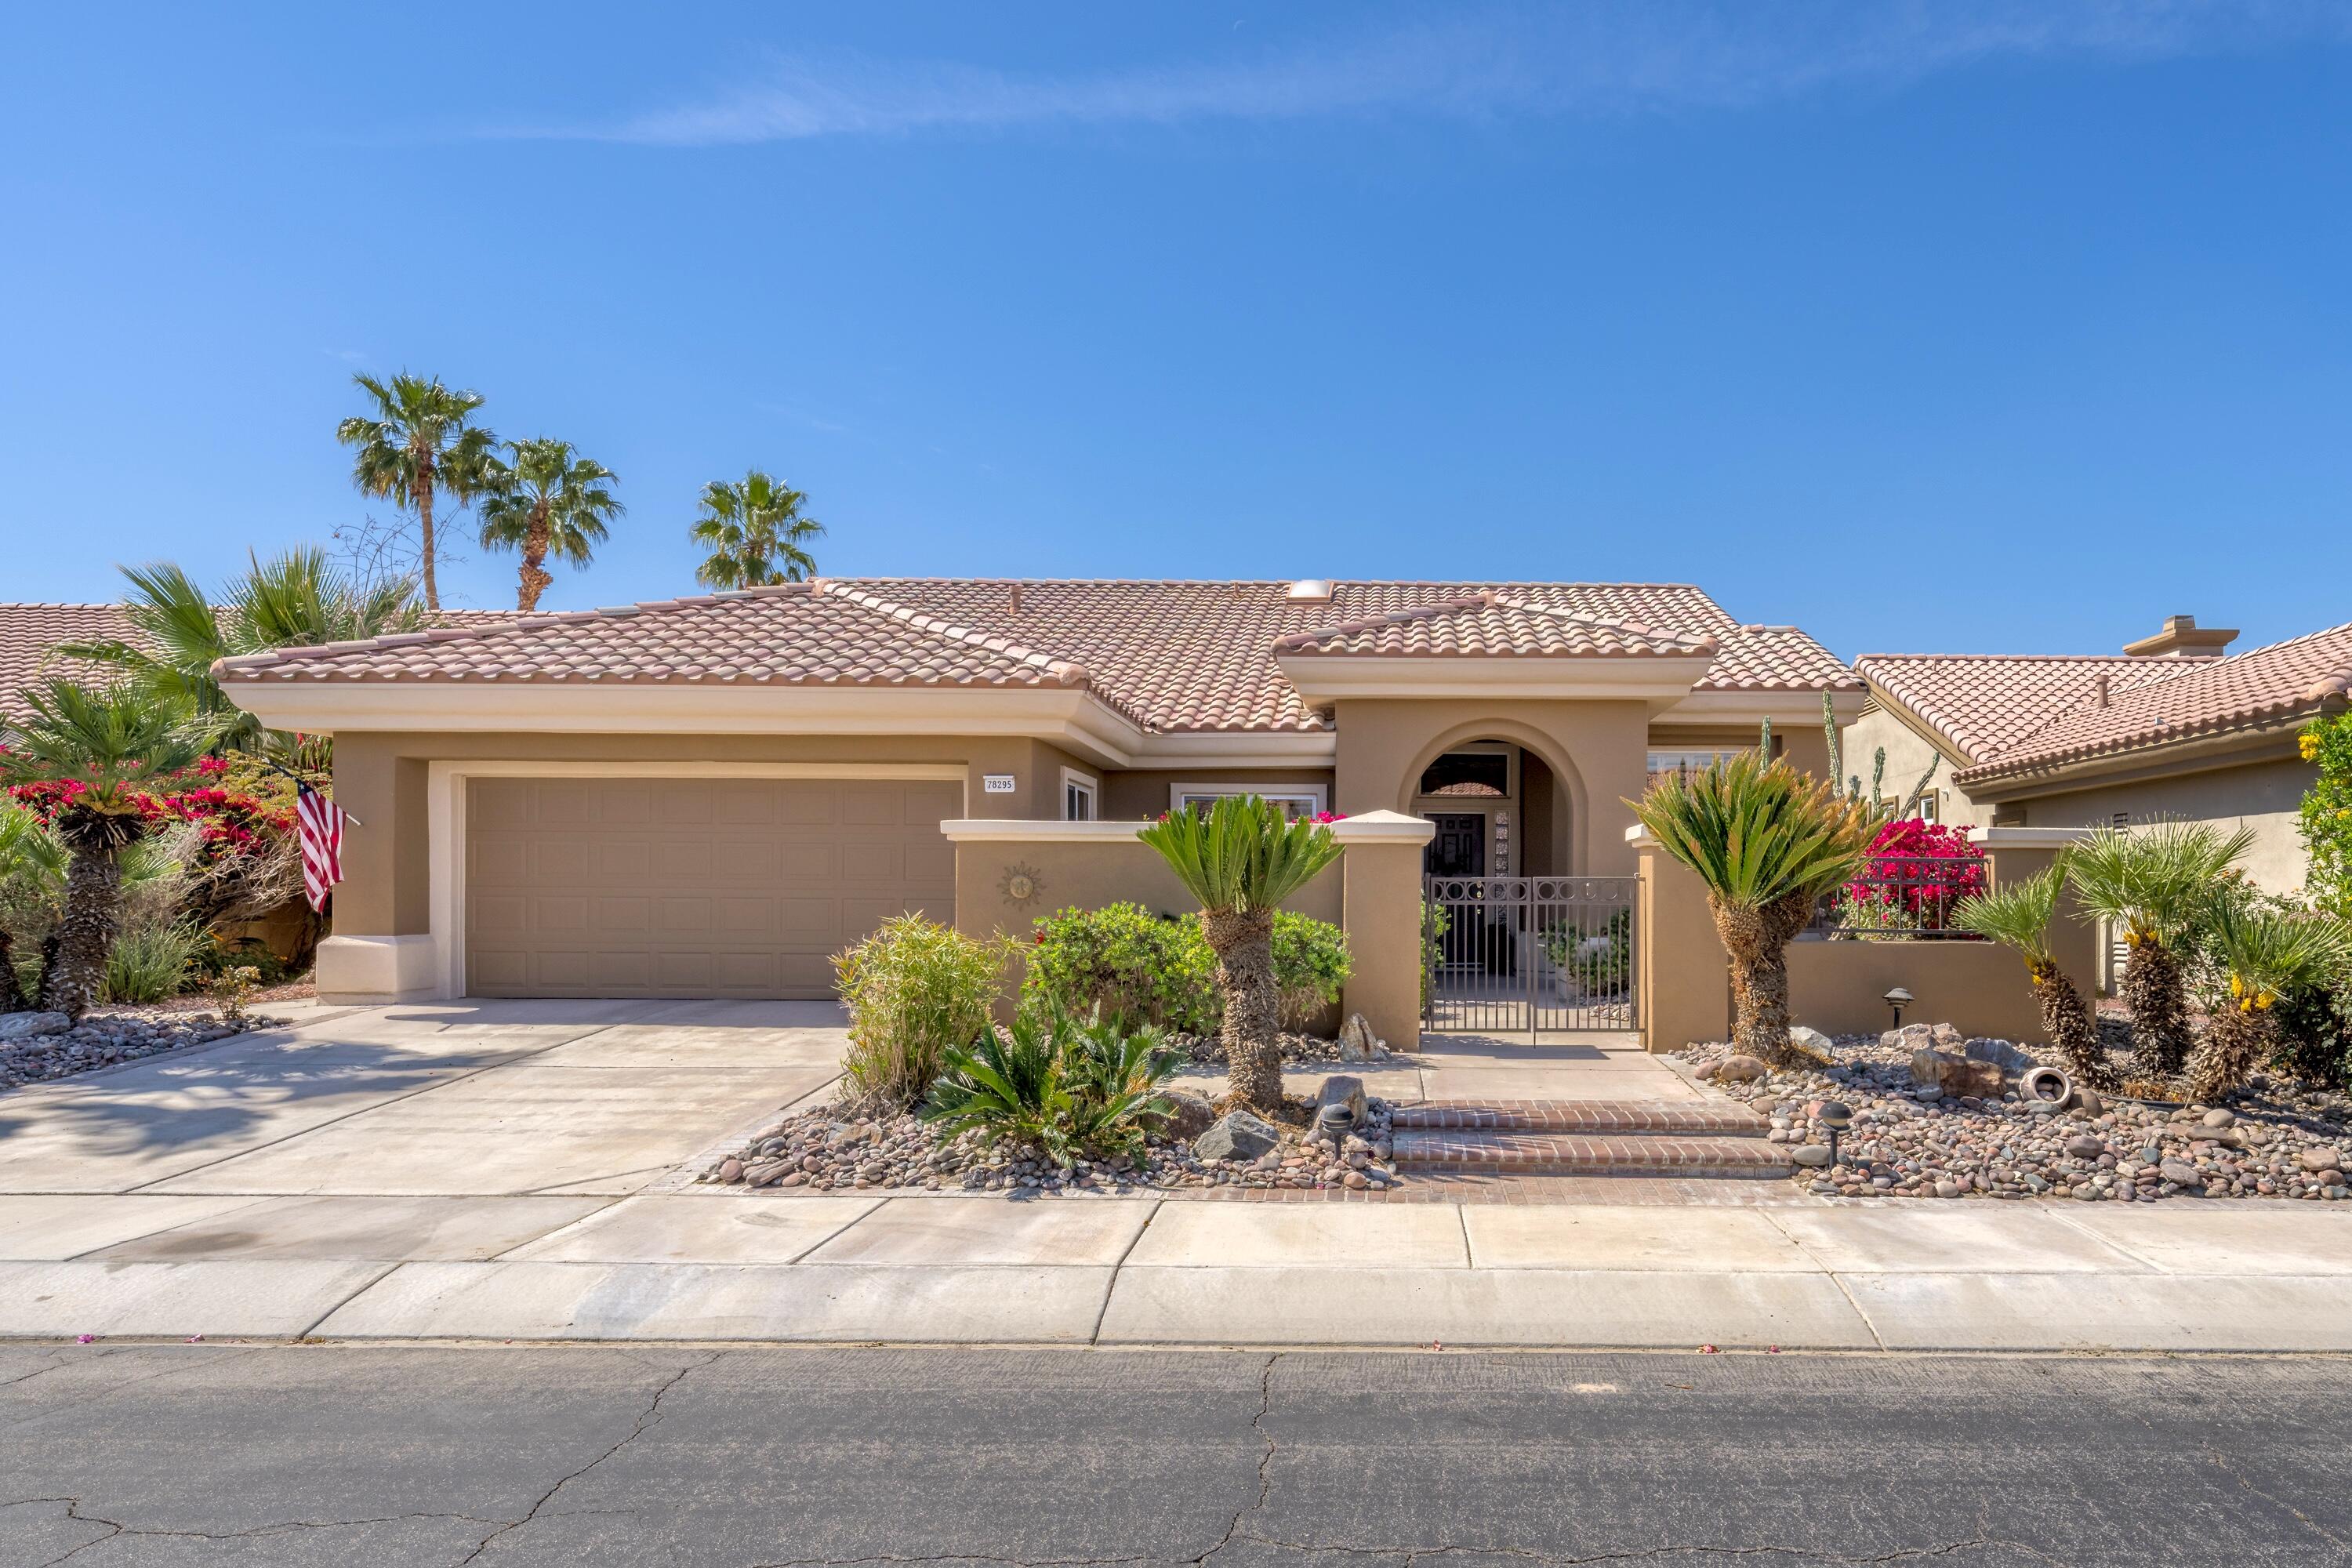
(1170, 655)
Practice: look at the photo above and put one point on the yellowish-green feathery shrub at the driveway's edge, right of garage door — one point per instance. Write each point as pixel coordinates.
(914, 993)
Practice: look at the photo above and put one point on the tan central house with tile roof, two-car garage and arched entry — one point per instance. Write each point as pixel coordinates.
(711, 796)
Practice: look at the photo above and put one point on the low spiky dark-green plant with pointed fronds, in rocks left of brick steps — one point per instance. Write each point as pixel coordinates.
(1076, 1092)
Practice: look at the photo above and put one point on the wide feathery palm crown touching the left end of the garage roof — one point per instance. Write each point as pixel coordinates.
(290, 601)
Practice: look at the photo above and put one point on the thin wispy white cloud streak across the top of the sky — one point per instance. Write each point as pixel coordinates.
(1610, 58)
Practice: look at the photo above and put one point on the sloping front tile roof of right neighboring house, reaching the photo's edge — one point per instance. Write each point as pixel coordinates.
(2285, 683)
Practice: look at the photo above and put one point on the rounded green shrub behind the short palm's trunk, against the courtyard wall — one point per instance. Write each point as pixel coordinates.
(1158, 972)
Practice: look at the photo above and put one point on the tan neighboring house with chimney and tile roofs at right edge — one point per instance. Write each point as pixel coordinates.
(2170, 728)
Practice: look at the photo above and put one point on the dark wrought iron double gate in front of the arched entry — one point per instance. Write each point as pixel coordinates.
(1518, 956)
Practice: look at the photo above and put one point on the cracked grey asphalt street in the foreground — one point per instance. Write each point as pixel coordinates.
(801, 1459)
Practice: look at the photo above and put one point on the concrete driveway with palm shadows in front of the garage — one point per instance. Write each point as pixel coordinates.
(432, 1099)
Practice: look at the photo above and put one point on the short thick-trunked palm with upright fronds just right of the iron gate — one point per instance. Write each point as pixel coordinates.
(1768, 843)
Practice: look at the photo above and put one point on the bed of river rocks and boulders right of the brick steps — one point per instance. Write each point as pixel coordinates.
(1906, 1139)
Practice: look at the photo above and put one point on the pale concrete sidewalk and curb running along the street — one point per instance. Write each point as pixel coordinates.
(989, 1271)
